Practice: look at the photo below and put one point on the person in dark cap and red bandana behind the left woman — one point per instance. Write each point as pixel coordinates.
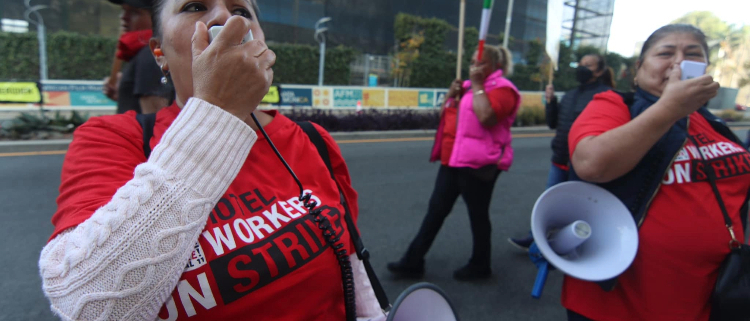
(140, 87)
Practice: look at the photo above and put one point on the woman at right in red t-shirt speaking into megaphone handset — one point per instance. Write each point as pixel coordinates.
(682, 236)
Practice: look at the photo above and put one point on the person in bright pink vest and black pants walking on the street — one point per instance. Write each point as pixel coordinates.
(473, 145)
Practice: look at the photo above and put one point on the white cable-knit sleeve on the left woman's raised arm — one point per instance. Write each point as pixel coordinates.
(124, 262)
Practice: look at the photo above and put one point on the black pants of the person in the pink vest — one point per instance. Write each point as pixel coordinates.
(476, 188)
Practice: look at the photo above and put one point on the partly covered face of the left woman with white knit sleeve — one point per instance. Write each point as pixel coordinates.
(178, 18)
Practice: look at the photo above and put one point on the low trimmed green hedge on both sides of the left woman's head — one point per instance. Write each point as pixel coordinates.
(74, 56)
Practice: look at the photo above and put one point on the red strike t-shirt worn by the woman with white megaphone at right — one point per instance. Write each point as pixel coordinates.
(682, 240)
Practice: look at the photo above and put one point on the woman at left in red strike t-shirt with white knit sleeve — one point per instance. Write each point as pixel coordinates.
(210, 226)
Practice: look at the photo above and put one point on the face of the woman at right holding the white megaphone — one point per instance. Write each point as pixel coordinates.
(656, 64)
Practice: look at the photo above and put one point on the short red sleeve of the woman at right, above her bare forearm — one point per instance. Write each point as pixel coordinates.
(605, 112)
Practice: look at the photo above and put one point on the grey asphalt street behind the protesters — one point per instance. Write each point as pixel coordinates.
(394, 181)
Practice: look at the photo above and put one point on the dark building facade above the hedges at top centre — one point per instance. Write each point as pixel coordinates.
(368, 25)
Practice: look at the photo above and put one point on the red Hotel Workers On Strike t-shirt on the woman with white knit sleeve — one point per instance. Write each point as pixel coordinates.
(260, 257)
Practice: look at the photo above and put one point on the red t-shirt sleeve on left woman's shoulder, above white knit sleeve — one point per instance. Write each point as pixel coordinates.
(100, 160)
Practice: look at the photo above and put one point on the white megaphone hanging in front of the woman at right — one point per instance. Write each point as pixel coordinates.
(584, 231)
